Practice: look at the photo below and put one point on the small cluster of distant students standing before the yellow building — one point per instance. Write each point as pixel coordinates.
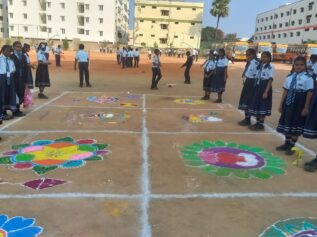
(128, 57)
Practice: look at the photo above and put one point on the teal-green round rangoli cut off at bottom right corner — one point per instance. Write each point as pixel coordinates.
(297, 227)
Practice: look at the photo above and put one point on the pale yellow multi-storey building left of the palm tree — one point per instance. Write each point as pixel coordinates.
(167, 24)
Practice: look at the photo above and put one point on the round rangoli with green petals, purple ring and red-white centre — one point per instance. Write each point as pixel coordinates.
(226, 159)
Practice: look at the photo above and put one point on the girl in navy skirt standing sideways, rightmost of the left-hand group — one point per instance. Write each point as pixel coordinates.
(42, 78)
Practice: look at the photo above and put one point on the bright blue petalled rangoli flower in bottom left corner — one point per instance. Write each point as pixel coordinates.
(18, 226)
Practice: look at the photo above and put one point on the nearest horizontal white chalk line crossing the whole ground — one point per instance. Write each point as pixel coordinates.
(140, 197)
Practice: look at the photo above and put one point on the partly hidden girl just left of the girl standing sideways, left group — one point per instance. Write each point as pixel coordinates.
(27, 67)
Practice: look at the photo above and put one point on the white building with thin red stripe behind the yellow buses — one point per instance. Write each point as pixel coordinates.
(294, 23)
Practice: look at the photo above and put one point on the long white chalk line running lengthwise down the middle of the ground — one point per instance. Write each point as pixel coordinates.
(145, 180)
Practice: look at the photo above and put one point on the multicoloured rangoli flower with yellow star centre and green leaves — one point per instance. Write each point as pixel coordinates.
(46, 155)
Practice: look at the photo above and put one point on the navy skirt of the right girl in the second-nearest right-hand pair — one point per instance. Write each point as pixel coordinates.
(259, 106)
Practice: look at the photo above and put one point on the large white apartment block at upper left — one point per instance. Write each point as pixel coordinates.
(87, 20)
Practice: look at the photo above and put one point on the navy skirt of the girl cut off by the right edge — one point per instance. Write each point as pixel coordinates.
(310, 130)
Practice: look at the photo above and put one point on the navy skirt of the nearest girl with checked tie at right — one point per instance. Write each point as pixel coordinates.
(291, 122)
